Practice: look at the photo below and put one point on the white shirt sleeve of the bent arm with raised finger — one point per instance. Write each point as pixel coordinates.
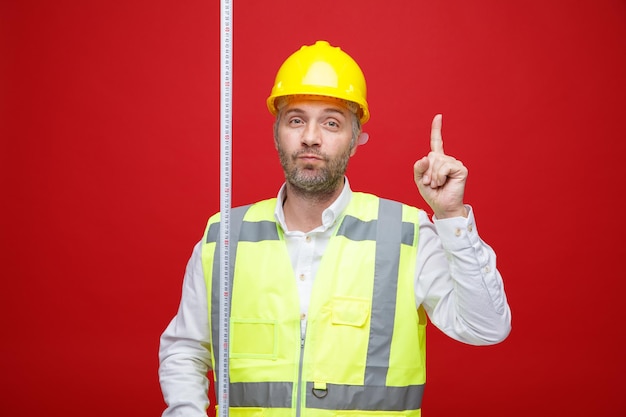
(457, 281)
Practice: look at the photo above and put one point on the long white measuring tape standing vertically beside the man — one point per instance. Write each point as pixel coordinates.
(226, 57)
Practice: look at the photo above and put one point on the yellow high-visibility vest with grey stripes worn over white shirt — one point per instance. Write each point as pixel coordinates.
(364, 349)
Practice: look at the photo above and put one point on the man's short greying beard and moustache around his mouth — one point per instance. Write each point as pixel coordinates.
(310, 181)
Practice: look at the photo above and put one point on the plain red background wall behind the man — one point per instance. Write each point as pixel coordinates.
(110, 167)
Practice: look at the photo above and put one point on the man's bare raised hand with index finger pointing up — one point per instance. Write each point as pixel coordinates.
(441, 178)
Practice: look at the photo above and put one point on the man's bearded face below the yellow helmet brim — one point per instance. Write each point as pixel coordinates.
(314, 142)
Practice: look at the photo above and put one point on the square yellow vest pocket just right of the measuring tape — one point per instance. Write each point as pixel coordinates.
(253, 338)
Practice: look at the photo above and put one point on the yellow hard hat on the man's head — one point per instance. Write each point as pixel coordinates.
(321, 70)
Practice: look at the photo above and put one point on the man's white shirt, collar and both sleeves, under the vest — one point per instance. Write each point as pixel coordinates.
(456, 281)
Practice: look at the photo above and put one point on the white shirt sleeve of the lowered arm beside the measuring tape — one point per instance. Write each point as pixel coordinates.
(184, 351)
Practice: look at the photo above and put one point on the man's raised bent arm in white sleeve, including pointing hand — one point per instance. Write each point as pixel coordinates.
(456, 279)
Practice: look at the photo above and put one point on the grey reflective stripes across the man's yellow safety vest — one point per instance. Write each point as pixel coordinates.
(390, 233)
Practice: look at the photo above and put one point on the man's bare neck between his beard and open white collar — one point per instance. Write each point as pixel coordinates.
(303, 211)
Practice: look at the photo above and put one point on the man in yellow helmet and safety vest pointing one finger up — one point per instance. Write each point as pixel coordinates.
(331, 287)
